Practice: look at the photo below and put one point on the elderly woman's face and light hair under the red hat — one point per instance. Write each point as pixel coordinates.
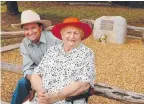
(71, 36)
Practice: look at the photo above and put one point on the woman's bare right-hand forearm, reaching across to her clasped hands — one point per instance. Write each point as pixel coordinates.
(74, 88)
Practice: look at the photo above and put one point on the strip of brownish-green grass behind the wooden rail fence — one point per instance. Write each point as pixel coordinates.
(60, 11)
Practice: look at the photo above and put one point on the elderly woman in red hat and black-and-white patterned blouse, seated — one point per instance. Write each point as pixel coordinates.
(67, 69)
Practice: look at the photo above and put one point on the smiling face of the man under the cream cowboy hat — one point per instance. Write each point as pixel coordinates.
(32, 31)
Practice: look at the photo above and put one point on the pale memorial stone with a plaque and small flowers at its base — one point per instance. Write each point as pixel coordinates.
(110, 29)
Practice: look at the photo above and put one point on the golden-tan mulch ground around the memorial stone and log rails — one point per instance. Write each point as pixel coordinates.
(119, 65)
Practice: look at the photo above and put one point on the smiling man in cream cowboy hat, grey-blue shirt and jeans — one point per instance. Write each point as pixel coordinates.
(33, 48)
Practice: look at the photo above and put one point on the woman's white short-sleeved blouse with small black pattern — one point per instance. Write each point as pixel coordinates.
(59, 68)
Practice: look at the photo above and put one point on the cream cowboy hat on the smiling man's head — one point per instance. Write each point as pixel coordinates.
(29, 16)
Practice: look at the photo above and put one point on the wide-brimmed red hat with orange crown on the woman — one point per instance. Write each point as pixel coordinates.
(74, 22)
